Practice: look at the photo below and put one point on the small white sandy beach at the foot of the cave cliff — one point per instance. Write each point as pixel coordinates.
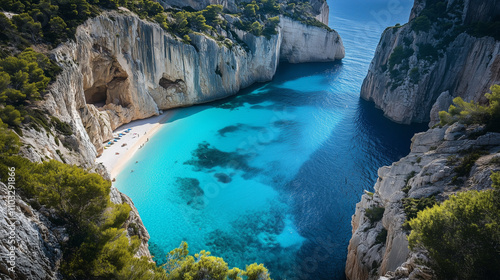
(116, 156)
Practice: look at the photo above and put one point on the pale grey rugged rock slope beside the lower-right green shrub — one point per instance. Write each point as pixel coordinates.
(427, 171)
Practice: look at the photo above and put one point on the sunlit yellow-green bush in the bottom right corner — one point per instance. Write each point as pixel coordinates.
(462, 235)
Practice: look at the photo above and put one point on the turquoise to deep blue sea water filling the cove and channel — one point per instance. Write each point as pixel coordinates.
(273, 174)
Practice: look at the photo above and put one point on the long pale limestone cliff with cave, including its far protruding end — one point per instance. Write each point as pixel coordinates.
(122, 68)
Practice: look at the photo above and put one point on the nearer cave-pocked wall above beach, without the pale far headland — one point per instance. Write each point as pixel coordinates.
(135, 69)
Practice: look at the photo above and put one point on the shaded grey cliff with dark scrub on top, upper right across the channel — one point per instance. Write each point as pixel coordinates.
(424, 64)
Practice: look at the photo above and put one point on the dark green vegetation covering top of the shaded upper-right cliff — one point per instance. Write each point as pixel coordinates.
(439, 23)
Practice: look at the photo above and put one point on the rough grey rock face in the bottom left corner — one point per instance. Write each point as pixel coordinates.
(35, 248)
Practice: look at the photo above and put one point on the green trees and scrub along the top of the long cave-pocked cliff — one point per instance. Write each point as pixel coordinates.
(25, 74)
